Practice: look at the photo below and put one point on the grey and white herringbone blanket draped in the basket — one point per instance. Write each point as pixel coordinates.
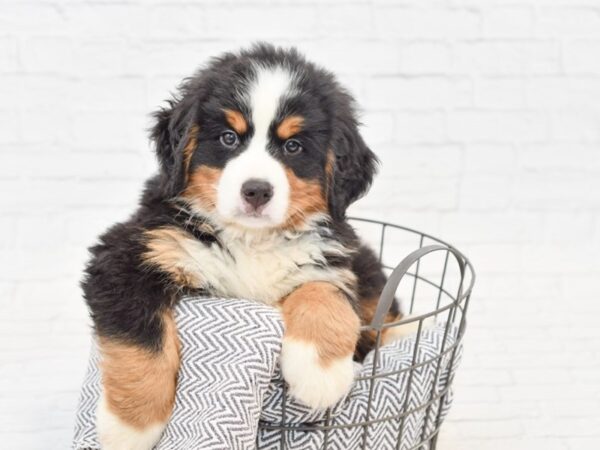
(229, 385)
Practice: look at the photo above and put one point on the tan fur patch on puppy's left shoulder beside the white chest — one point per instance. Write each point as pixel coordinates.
(167, 250)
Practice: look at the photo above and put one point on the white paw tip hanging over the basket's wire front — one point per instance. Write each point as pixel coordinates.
(314, 383)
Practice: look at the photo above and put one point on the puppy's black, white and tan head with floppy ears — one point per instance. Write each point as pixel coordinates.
(263, 139)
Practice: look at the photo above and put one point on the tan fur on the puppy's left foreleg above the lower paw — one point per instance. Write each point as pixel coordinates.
(139, 385)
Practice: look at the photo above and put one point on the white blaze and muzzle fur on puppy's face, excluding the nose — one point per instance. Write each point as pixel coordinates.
(267, 90)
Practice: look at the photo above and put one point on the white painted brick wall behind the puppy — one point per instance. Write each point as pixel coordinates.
(486, 115)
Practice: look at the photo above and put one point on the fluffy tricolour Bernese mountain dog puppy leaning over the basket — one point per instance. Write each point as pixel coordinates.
(260, 156)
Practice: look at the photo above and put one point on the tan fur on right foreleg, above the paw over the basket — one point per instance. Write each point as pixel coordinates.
(318, 313)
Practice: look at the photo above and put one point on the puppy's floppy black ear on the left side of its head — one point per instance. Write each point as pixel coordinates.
(168, 134)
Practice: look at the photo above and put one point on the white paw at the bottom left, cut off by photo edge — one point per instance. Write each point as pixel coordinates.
(114, 434)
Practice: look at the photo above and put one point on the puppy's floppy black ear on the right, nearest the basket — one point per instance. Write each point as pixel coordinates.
(354, 166)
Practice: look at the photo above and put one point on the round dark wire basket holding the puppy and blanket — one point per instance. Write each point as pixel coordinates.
(432, 287)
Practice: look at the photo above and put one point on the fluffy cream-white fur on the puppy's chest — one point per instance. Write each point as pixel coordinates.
(264, 270)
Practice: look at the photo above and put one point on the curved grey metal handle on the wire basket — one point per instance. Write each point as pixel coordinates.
(389, 290)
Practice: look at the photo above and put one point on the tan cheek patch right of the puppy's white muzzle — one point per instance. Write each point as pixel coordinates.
(306, 197)
